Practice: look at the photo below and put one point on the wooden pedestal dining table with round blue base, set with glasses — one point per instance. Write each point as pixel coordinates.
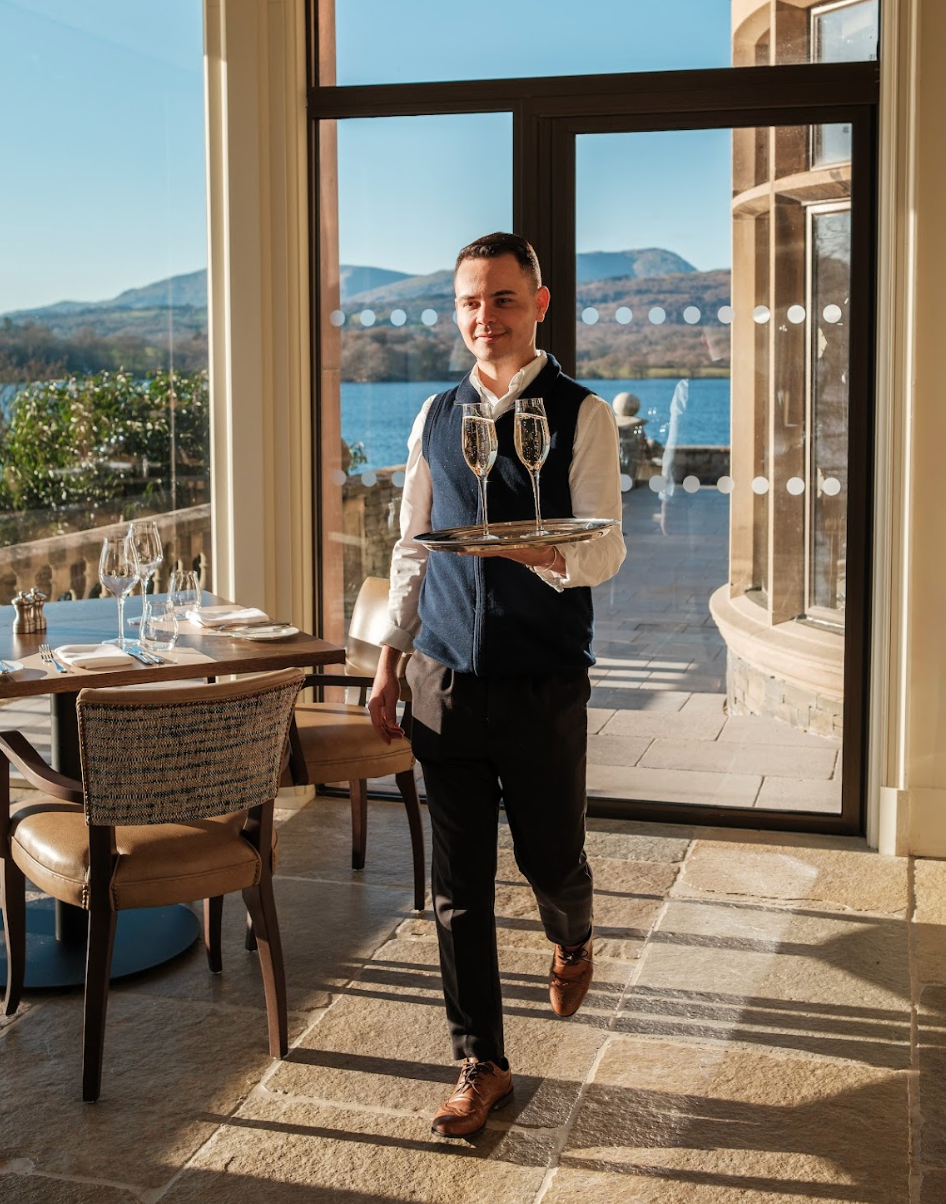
(147, 937)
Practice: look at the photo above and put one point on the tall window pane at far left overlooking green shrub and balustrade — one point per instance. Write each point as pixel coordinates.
(104, 396)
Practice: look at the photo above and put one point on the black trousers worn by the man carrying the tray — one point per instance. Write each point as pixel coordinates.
(481, 741)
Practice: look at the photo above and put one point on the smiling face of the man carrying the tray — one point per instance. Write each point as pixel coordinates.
(498, 310)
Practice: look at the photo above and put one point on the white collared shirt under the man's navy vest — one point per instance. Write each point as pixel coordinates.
(594, 481)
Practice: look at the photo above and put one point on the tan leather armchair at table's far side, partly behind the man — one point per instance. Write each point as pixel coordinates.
(336, 741)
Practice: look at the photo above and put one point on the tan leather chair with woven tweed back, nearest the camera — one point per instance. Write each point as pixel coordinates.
(175, 805)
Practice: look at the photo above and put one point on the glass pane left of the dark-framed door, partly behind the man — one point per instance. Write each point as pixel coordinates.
(405, 209)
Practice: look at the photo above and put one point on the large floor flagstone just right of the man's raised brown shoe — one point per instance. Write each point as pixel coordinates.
(819, 984)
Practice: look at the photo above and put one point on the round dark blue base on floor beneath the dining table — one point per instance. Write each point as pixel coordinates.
(145, 937)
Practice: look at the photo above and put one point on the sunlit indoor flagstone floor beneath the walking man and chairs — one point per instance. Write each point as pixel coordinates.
(767, 1025)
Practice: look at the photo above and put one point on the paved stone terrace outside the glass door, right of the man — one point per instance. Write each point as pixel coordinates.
(659, 728)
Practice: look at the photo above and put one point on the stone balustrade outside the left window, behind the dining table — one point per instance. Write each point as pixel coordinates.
(68, 565)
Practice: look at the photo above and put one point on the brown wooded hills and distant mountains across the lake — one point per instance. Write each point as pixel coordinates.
(138, 329)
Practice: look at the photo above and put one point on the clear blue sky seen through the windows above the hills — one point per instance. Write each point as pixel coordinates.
(105, 168)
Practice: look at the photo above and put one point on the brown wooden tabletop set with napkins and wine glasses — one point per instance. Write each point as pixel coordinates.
(198, 653)
